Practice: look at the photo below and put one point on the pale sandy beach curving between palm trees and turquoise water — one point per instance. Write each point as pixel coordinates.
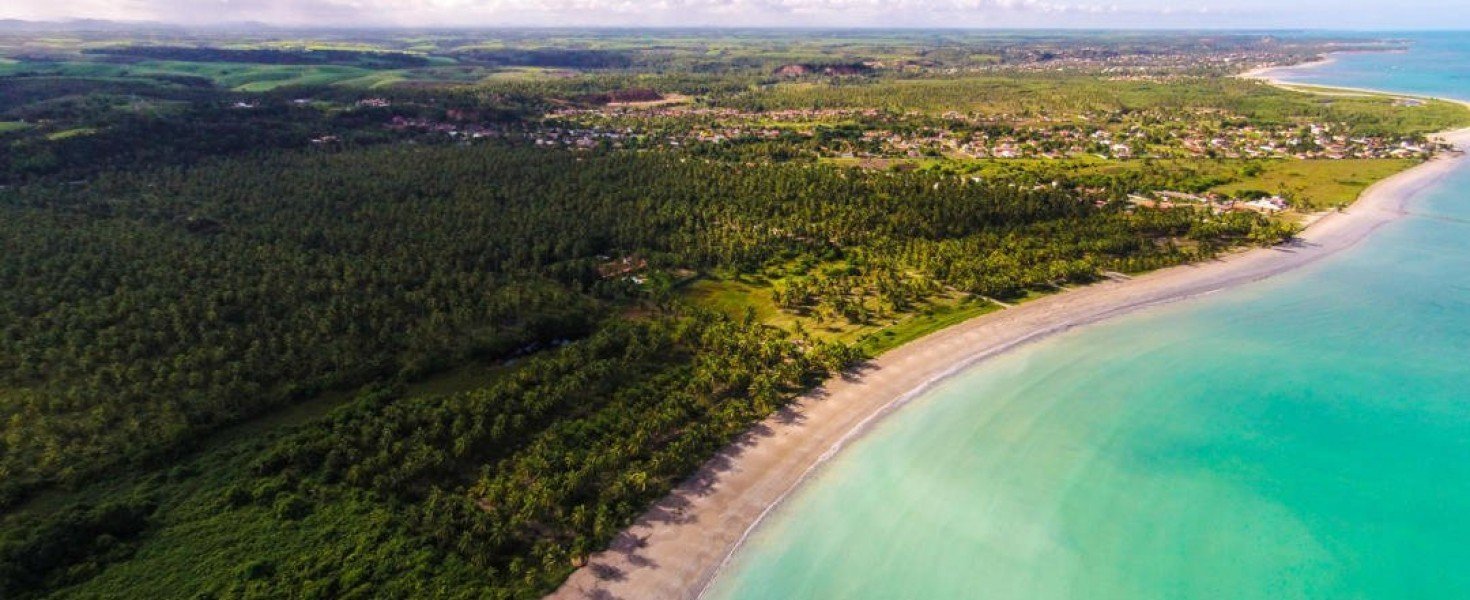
(680, 545)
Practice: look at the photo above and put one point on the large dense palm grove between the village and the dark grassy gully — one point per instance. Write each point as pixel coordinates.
(331, 270)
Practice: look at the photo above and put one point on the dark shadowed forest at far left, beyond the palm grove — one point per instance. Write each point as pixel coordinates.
(101, 127)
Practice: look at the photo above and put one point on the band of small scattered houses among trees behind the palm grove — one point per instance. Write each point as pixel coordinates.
(877, 135)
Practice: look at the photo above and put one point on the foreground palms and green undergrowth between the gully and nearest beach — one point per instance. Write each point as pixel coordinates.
(345, 508)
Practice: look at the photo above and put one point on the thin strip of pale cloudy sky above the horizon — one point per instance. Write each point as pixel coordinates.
(949, 14)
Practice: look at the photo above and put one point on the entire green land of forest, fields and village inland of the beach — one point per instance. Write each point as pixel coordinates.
(424, 318)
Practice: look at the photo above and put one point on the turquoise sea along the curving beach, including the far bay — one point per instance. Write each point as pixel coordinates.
(1303, 437)
